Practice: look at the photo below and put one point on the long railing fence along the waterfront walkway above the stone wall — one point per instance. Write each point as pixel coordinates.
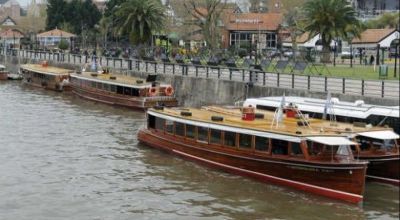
(371, 88)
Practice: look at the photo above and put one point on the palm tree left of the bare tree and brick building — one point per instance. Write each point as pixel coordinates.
(139, 18)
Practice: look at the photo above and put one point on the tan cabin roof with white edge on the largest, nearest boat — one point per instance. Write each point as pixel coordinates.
(288, 130)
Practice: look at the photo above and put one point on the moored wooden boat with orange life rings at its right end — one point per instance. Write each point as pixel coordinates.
(122, 90)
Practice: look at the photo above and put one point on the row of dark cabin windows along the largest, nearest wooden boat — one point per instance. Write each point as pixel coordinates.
(225, 138)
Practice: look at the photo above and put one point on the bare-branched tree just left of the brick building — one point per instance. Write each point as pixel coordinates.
(207, 15)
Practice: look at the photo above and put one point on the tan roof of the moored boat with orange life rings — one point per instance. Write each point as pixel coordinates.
(115, 79)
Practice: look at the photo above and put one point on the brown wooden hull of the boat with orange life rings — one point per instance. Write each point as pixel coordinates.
(126, 101)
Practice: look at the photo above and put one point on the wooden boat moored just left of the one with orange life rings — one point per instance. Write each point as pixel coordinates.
(45, 76)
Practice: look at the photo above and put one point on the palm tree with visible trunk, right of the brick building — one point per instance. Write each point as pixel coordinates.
(331, 19)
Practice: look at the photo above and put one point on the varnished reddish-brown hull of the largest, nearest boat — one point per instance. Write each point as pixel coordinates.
(344, 182)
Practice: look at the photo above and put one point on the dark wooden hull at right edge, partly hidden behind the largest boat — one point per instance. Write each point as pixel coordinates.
(384, 168)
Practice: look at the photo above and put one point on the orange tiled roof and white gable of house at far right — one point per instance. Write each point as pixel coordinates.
(371, 38)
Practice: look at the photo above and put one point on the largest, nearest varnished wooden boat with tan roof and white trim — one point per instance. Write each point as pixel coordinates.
(291, 155)
